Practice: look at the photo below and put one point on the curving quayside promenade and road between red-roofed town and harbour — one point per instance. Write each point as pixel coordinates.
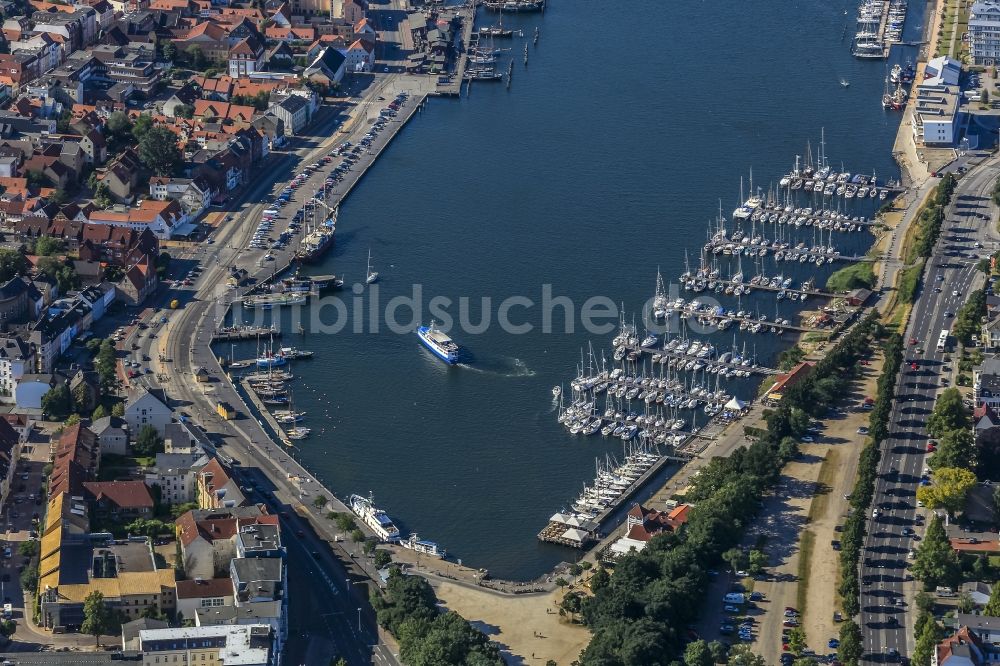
(184, 345)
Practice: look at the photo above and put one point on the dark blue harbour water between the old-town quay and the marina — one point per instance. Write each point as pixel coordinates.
(606, 159)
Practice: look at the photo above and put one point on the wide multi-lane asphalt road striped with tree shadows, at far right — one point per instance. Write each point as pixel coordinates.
(950, 276)
